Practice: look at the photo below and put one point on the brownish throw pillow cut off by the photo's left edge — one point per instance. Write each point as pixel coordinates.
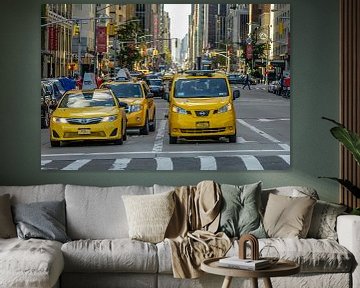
(7, 226)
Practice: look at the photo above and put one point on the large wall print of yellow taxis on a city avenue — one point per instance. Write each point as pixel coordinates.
(165, 87)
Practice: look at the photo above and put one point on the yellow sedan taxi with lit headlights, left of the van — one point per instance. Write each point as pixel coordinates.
(88, 115)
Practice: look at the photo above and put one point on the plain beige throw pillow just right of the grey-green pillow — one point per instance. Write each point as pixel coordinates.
(288, 217)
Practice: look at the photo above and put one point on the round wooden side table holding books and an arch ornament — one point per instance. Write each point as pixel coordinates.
(281, 268)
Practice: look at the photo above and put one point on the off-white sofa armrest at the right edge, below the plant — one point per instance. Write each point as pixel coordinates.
(348, 230)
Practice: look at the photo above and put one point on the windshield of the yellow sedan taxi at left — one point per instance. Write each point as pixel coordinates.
(87, 99)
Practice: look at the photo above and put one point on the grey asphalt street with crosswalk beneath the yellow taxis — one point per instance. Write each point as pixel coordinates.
(263, 143)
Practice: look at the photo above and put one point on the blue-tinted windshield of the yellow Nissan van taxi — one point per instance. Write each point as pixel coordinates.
(201, 87)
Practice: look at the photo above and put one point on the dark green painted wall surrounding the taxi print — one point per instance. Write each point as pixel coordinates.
(315, 65)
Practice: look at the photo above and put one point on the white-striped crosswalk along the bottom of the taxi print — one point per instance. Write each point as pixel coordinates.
(196, 163)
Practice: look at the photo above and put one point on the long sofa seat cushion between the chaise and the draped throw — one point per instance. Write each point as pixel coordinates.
(116, 255)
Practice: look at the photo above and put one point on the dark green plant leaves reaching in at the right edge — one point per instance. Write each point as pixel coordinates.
(351, 141)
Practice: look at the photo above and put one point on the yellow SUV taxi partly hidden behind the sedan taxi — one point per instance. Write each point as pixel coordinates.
(141, 110)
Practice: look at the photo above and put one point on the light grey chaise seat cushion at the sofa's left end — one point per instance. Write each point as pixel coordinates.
(30, 263)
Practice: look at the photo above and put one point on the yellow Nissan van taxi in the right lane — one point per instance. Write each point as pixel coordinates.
(201, 106)
